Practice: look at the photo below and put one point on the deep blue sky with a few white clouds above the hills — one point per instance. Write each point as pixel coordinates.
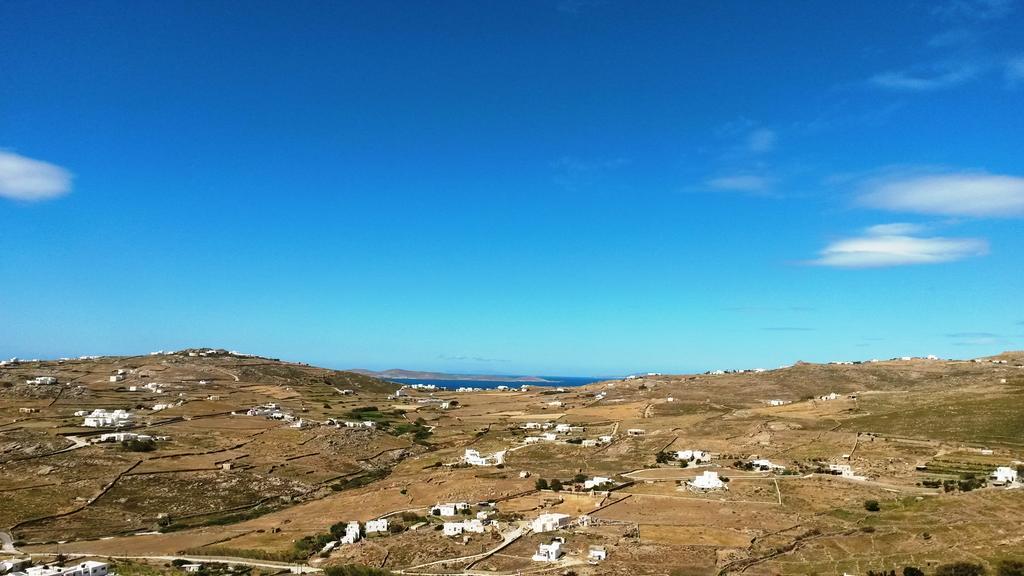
(541, 187)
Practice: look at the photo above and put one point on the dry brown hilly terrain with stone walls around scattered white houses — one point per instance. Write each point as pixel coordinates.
(921, 438)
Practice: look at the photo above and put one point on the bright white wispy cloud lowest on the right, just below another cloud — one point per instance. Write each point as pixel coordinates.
(879, 251)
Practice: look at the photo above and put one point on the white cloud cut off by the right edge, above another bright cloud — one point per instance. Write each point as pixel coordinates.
(963, 194)
